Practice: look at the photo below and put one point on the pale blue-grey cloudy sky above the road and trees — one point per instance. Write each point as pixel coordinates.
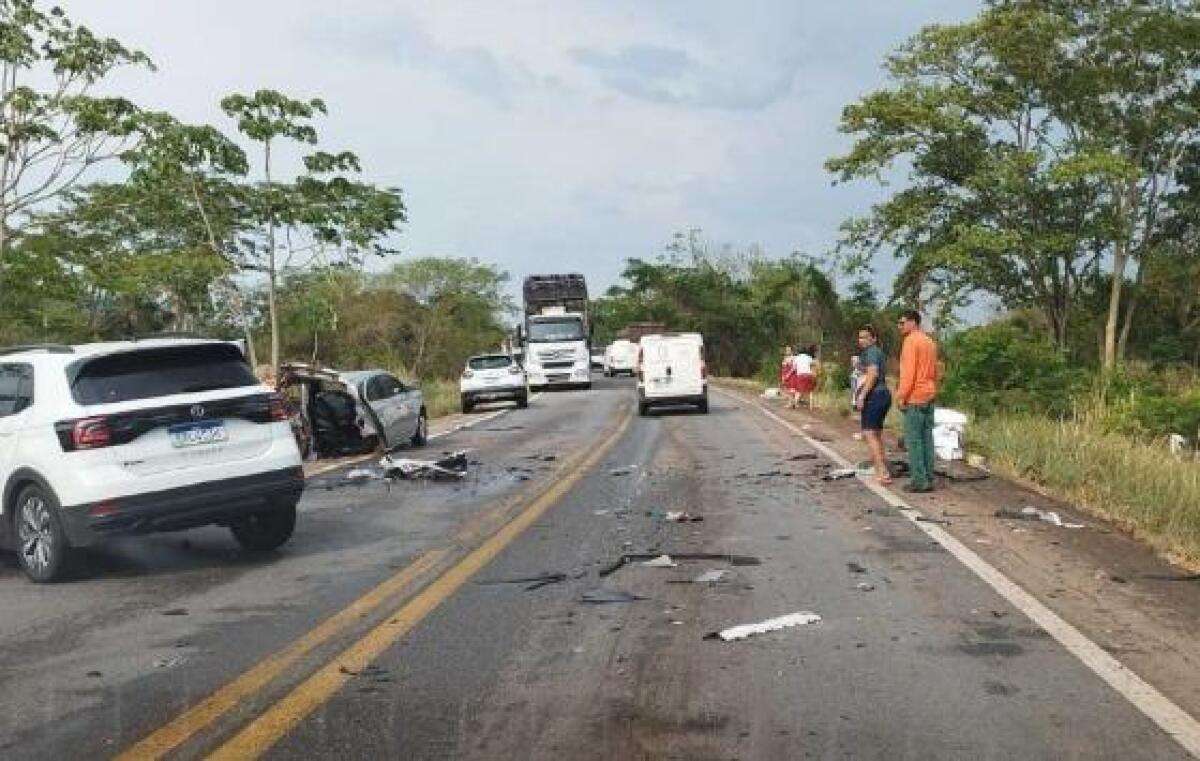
(554, 136)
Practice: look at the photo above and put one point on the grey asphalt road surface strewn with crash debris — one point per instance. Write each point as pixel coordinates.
(914, 658)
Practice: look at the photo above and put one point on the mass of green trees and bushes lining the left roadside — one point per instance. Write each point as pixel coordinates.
(119, 221)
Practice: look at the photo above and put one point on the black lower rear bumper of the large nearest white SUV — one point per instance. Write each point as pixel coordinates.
(188, 507)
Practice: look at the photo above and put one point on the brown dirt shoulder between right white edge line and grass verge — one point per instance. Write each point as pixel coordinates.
(1136, 606)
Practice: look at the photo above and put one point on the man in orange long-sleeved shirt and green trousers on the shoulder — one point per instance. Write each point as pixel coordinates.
(915, 397)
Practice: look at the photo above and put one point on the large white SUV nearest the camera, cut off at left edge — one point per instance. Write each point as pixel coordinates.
(137, 438)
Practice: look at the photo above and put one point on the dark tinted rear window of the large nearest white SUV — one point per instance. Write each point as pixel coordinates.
(161, 371)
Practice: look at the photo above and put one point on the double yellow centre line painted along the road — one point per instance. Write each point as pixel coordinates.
(279, 720)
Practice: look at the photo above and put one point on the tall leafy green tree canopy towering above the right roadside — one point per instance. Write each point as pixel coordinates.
(1043, 140)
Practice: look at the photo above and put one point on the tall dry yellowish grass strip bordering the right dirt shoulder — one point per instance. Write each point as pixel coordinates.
(1137, 486)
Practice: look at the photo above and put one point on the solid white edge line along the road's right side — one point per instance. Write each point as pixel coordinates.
(1156, 706)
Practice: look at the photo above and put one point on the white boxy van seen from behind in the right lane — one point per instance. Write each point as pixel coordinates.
(671, 371)
